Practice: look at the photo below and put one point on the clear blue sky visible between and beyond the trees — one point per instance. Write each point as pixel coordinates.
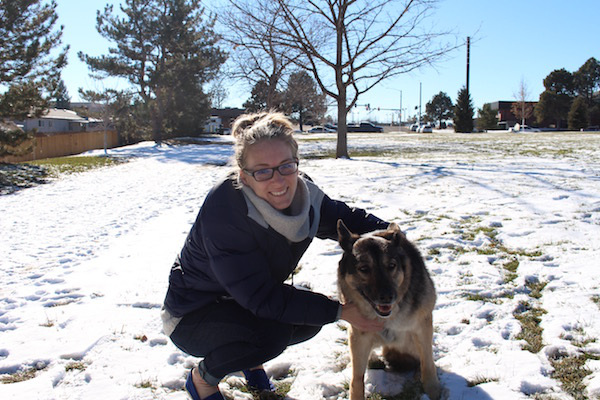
(512, 41)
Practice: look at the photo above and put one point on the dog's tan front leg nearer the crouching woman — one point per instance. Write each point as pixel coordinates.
(361, 344)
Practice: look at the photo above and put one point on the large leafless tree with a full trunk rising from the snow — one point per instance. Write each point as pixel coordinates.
(350, 46)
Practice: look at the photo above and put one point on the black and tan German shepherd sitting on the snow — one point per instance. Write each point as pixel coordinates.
(385, 276)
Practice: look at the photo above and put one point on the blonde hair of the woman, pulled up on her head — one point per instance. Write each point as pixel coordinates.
(249, 129)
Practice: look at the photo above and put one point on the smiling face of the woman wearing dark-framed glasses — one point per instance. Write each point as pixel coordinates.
(278, 191)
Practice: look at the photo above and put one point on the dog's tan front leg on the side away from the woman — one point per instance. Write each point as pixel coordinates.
(424, 342)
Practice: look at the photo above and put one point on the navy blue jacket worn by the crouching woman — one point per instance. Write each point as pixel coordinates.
(228, 254)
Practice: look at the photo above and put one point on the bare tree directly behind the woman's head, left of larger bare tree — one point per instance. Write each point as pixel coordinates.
(252, 30)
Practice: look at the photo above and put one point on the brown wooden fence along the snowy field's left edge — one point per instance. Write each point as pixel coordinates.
(65, 144)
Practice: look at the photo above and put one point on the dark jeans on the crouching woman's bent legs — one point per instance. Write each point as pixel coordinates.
(231, 339)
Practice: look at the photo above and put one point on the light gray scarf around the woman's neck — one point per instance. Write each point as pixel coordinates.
(295, 227)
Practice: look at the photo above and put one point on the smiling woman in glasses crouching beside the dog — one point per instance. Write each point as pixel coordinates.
(227, 301)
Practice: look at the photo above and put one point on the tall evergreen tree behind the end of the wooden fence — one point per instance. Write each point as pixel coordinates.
(167, 49)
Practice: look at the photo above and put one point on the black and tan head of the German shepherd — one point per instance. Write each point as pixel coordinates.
(374, 265)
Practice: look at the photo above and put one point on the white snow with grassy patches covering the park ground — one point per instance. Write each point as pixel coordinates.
(85, 261)
